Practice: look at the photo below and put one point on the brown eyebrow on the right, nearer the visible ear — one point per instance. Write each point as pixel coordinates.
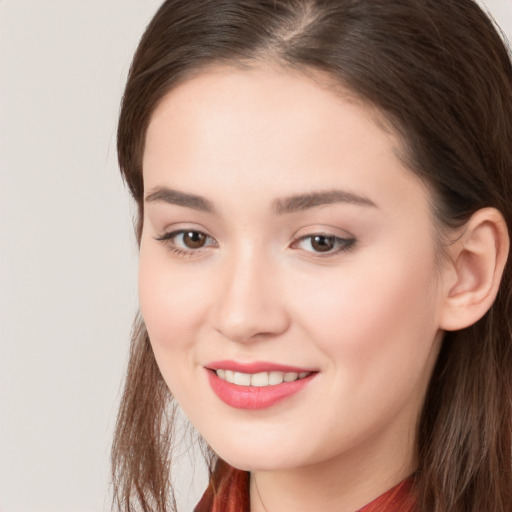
(311, 200)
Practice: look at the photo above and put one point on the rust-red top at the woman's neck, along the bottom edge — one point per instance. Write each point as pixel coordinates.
(228, 491)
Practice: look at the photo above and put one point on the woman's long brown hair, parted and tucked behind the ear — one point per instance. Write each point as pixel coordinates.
(440, 74)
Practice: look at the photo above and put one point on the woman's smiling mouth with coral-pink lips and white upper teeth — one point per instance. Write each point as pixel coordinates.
(256, 385)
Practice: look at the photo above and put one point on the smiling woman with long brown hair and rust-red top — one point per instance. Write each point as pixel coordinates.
(324, 191)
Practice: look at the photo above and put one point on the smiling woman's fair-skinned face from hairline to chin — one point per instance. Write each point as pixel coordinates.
(288, 276)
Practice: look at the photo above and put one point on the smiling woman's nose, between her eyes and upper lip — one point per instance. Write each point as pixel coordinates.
(249, 304)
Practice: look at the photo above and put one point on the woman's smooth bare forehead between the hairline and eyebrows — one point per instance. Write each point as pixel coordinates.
(271, 130)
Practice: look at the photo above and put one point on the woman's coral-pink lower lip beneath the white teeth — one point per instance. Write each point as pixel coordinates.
(252, 397)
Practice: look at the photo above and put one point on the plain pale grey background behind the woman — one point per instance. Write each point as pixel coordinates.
(68, 256)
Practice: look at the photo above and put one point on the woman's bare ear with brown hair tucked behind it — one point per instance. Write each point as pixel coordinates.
(477, 260)
